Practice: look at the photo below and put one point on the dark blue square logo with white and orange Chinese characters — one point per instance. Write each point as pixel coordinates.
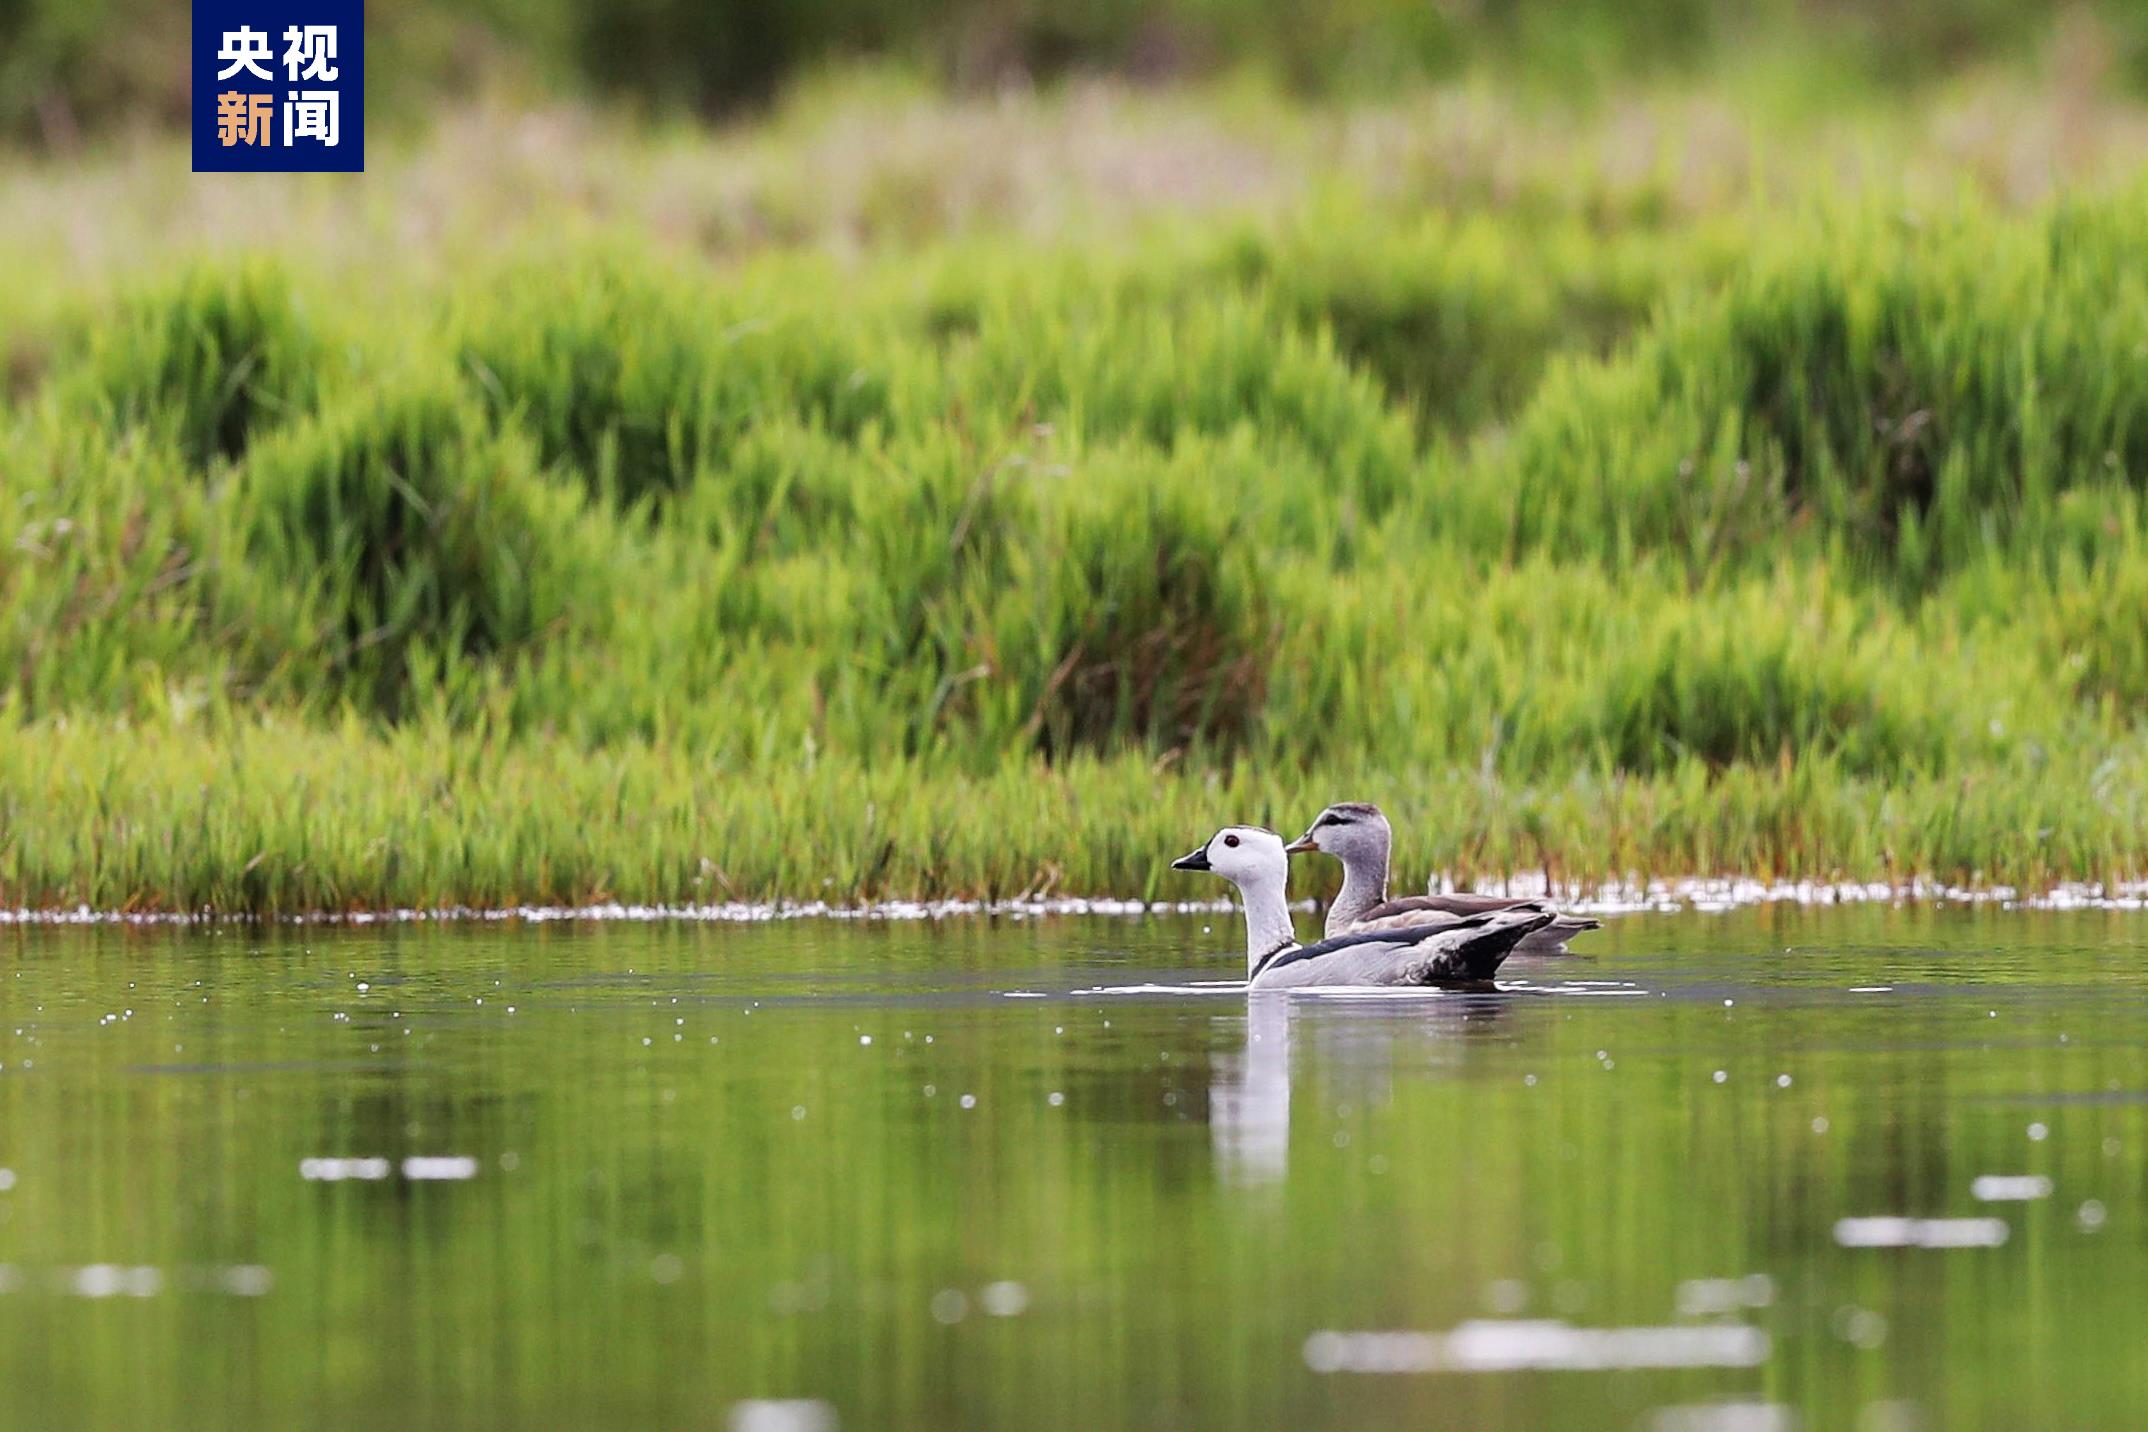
(278, 87)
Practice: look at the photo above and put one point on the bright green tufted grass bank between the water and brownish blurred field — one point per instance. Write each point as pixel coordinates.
(1616, 527)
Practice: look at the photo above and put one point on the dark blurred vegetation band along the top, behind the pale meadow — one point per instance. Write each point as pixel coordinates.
(78, 68)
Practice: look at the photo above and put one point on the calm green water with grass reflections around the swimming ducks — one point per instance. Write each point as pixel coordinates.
(1829, 1169)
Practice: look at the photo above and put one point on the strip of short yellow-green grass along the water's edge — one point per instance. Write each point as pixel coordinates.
(278, 819)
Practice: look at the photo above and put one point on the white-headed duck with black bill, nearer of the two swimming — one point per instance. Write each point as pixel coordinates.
(1447, 952)
